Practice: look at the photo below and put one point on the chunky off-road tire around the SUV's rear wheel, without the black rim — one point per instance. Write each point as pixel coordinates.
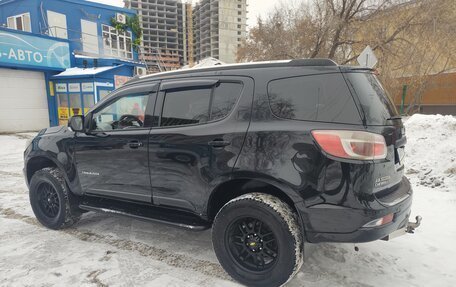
(280, 219)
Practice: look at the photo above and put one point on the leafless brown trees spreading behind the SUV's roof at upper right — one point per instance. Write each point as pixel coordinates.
(411, 38)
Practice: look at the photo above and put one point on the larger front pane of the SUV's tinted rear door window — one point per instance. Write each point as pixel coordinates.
(186, 107)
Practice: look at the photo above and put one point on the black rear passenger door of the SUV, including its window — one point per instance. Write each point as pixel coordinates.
(197, 138)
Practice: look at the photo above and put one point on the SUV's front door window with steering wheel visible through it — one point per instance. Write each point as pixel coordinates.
(124, 113)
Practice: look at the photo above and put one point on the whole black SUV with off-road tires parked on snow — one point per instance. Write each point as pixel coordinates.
(268, 155)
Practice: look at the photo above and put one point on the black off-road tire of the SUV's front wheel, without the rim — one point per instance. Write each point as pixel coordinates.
(67, 212)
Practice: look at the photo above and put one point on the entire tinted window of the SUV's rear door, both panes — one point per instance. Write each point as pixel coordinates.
(198, 105)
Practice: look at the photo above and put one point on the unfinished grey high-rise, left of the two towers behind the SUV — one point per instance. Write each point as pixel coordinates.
(160, 21)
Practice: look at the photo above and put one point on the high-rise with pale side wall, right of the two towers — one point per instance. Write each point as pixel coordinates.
(219, 28)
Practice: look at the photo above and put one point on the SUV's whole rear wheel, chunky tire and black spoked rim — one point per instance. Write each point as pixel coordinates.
(258, 241)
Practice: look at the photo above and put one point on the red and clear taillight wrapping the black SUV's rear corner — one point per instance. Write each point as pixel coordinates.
(351, 144)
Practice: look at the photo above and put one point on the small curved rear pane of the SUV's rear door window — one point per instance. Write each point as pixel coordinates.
(225, 97)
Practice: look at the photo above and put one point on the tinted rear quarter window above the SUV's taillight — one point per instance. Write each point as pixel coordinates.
(324, 98)
